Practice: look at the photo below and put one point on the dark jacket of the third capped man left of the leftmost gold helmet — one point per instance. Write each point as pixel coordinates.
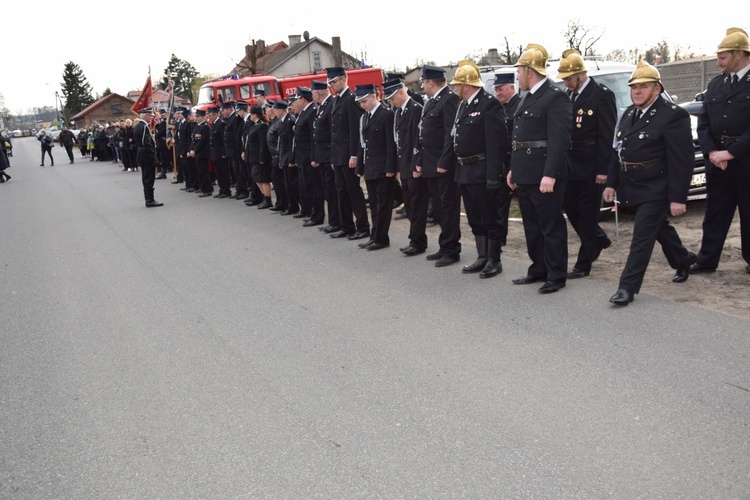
(376, 154)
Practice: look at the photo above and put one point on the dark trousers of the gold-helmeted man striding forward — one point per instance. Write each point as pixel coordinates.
(651, 224)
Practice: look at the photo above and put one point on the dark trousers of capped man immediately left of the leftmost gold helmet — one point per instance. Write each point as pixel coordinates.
(446, 203)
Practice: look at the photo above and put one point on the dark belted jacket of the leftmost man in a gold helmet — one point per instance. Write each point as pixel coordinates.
(480, 137)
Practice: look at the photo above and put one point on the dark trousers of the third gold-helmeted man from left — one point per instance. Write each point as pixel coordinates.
(582, 202)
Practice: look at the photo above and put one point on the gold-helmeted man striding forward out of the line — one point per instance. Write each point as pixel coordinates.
(654, 145)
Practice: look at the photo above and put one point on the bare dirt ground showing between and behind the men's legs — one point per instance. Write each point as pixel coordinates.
(727, 290)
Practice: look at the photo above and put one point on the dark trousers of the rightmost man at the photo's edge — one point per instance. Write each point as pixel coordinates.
(724, 195)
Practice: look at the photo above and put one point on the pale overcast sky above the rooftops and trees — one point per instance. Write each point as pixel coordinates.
(115, 42)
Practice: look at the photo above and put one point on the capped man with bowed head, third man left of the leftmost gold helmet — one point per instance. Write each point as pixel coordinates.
(376, 162)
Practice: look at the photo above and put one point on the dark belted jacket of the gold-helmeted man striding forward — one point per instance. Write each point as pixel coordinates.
(660, 143)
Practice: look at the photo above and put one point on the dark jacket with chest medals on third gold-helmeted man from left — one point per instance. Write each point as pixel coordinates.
(594, 116)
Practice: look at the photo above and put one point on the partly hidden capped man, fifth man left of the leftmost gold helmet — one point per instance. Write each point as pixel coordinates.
(321, 155)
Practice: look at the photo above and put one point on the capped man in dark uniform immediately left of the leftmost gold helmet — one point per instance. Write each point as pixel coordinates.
(436, 162)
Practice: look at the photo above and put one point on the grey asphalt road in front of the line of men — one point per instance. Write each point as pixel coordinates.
(208, 350)
